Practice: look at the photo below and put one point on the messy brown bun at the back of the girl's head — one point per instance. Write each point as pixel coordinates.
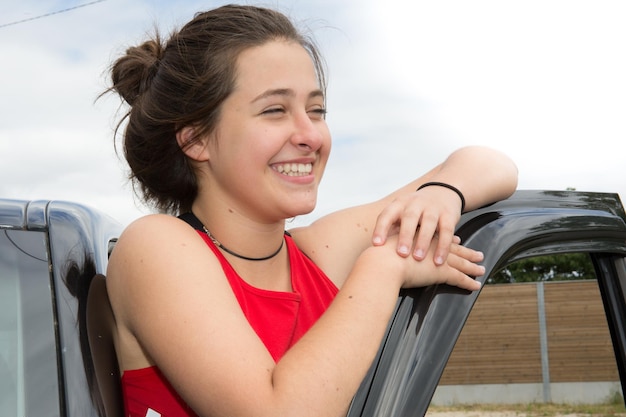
(133, 73)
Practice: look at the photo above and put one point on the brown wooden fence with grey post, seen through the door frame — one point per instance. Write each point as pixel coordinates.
(533, 342)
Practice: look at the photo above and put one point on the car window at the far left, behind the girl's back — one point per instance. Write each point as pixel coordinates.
(28, 360)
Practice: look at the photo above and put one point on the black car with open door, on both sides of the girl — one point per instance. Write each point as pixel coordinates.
(51, 251)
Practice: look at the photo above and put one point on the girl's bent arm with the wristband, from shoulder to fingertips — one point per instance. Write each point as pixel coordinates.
(483, 175)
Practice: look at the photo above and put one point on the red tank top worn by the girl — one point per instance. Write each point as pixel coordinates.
(278, 318)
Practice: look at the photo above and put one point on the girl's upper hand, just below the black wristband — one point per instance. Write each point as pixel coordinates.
(426, 213)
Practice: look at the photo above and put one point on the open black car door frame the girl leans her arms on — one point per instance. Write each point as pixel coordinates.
(427, 321)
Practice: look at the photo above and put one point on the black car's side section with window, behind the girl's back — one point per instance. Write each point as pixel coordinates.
(49, 252)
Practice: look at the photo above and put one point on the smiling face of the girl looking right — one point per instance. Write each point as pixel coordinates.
(271, 144)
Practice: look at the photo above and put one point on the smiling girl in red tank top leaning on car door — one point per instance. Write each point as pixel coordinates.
(219, 311)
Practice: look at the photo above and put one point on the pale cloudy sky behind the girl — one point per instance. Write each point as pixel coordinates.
(409, 82)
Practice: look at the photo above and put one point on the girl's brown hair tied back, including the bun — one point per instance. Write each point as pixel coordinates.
(184, 82)
